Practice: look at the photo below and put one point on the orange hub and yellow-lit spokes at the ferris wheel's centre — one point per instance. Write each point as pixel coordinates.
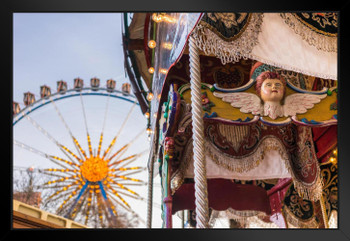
(94, 180)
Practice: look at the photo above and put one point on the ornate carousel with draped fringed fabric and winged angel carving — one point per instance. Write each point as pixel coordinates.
(242, 116)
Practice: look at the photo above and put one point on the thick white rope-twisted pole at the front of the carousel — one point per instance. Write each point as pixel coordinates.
(200, 177)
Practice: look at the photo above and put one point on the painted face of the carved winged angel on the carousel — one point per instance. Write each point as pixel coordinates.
(272, 90)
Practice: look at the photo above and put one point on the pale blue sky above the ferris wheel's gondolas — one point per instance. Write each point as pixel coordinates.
(62, 46)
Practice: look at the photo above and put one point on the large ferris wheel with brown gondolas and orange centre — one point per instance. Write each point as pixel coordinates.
(92, 145)
